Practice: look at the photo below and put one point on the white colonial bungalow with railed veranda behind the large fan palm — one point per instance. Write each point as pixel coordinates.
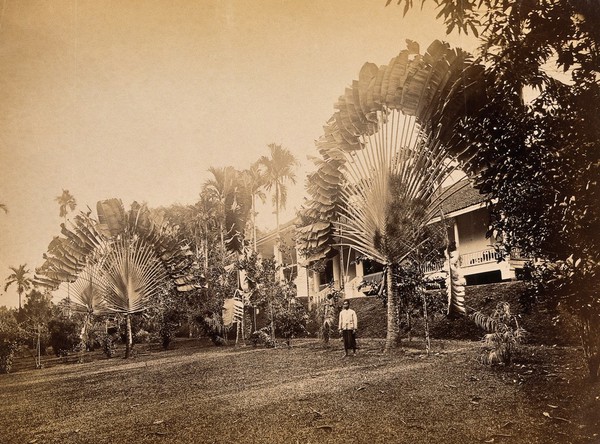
(464, 208)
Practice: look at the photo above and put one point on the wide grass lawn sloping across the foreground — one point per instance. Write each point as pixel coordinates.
(195, 393)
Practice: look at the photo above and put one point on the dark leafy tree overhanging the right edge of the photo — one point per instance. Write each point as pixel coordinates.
(534, 144)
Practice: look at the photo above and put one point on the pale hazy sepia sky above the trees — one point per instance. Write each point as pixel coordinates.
(137, 99)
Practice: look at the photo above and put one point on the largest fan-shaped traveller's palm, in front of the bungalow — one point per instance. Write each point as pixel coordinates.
(383, 163)
